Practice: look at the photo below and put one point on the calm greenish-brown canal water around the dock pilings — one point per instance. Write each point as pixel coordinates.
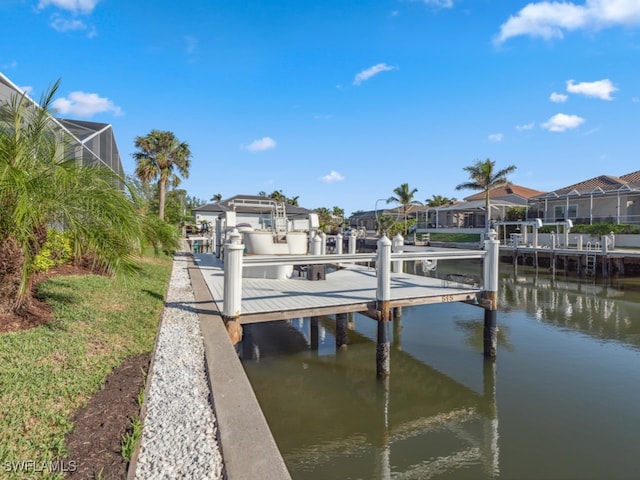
(562, 400)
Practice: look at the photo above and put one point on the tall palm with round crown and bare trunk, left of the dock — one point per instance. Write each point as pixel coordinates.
(160, 153)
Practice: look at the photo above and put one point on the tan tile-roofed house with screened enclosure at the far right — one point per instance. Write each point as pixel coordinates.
(606, 199)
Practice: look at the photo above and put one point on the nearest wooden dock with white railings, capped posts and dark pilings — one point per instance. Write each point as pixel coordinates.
(350, 286)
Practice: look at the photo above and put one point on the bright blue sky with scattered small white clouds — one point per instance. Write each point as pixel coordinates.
(339, 102)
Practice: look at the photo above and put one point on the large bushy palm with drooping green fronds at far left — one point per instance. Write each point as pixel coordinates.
(41, 187)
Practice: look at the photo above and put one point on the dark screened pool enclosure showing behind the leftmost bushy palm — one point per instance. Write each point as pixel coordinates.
(89, 142)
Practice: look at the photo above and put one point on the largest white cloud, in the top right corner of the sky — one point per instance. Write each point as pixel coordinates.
(551, 19)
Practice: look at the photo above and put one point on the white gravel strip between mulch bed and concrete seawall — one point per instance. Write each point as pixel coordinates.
(179, 437)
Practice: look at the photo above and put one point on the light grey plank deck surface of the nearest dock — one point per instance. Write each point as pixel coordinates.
(351, 288)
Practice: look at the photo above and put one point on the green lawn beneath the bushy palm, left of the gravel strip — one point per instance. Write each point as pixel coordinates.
(48, 372)
